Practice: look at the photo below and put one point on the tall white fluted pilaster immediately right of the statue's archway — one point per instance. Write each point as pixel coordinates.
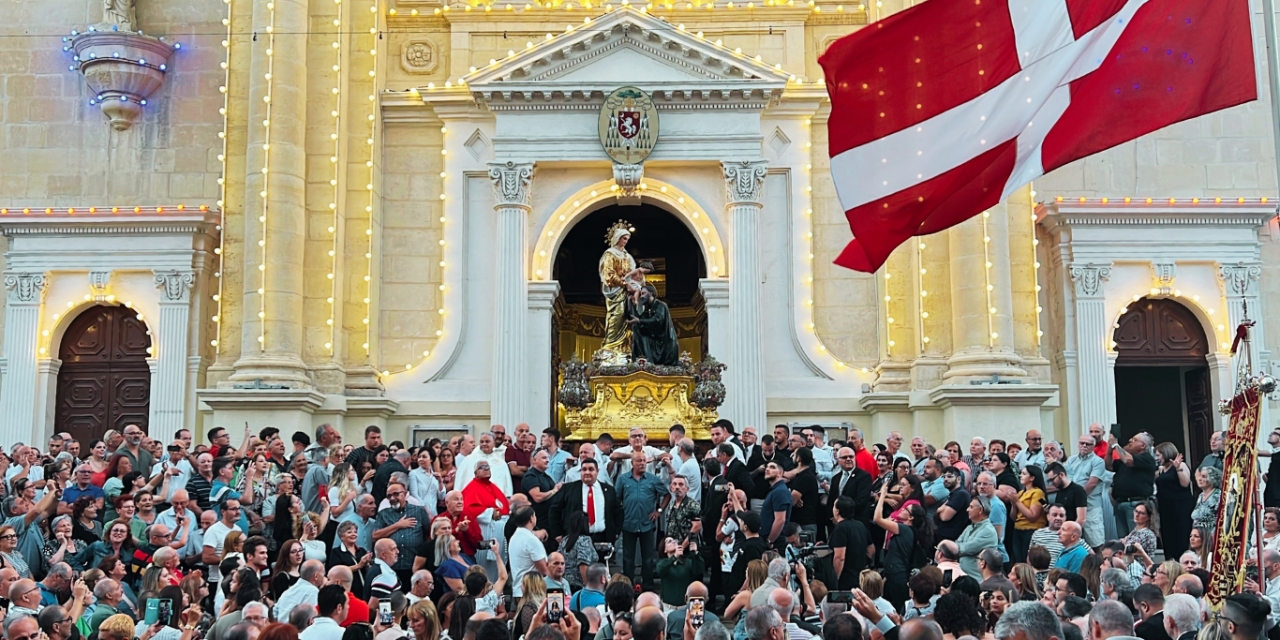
(744, 378)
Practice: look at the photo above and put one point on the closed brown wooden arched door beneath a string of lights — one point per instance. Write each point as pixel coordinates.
(104, 382)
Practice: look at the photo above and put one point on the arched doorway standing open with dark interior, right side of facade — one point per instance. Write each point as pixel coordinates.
(1163, 381)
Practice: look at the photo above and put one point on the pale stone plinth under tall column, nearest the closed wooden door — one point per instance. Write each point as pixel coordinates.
(290, 410)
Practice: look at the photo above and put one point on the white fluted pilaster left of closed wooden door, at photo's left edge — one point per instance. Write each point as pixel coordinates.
(21, 336)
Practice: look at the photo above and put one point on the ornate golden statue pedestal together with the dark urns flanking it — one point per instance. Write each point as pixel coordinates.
(614, 400)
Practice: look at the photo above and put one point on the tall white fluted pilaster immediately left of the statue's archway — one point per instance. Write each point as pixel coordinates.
(511, 195)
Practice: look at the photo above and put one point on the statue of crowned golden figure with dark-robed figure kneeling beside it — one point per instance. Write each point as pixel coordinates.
(637, 324)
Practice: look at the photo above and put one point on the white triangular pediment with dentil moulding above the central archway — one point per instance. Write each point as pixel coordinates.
(628, 47)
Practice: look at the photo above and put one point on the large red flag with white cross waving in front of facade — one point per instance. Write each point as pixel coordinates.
(943, 111)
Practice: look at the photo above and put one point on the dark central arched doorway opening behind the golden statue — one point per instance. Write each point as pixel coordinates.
(664, 240)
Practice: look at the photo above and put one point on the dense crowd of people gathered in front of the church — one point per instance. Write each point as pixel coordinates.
(761, 537)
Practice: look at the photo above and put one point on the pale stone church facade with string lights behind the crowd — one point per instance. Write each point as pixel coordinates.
(376, 213)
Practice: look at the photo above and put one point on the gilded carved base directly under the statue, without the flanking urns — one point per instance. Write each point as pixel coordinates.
(623, 403)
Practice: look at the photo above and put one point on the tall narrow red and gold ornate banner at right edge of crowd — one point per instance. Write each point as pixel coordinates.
(1232, 545)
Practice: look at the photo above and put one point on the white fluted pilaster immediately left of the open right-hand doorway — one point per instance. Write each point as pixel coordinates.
(1092, 337)
